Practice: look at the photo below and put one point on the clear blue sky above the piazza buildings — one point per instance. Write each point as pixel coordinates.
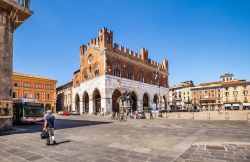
(201, 39)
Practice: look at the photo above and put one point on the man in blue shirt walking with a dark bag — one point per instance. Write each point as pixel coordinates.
(49, 121)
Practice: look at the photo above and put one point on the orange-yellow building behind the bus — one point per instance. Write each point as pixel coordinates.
(35, 87)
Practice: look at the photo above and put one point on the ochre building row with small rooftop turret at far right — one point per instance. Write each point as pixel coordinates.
(227, 94)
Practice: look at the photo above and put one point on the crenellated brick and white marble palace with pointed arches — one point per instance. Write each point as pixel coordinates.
(107, 70)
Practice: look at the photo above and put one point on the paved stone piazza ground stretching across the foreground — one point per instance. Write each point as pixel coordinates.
(85, 138)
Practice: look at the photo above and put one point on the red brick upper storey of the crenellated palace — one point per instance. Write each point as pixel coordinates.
(119, 61)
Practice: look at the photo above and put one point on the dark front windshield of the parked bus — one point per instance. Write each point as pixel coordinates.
(33, 111)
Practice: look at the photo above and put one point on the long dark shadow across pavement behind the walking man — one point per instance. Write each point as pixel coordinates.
(59, 124)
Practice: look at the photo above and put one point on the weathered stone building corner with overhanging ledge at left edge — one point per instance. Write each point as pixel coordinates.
(12, 14)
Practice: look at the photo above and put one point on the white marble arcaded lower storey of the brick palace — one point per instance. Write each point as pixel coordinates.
(107, 84)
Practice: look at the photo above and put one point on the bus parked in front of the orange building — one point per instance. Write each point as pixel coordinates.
(27, 111)
